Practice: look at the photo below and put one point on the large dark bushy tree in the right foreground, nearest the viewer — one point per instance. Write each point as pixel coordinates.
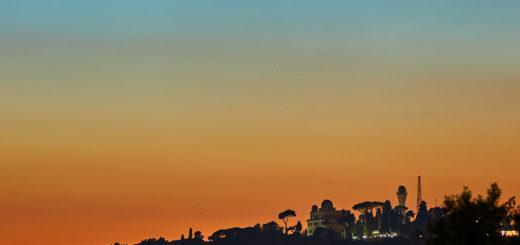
(470, 220)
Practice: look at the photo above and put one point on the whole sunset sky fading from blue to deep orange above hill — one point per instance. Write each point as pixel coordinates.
(124, 120)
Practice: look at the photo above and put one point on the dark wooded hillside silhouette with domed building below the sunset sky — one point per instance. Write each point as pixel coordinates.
(462, 220)
